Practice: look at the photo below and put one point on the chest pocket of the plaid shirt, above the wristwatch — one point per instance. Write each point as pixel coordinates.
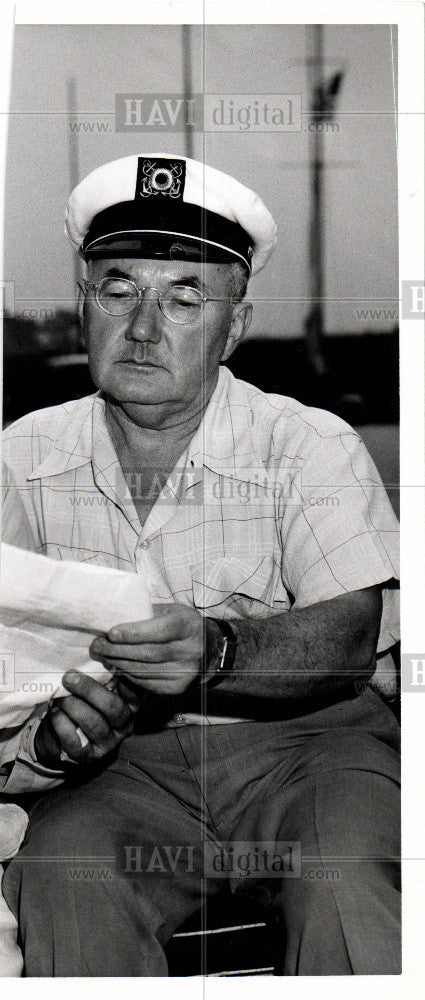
(238, 588)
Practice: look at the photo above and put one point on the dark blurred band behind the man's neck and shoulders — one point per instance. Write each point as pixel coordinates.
(45, 365)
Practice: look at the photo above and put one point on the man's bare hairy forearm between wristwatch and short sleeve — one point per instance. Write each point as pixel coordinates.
(308, 652)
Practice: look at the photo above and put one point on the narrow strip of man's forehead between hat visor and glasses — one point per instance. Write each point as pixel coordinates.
(139, 267)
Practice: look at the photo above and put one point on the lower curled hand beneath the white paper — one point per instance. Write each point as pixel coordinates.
(104, 716)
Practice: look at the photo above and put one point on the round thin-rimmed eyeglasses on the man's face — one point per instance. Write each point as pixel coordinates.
(120, 296)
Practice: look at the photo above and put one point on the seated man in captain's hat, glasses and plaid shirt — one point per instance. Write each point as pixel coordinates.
(241, 711)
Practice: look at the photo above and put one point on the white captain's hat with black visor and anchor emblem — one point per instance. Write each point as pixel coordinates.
(171, 207)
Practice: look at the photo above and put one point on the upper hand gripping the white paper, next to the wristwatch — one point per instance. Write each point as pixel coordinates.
(163, 654)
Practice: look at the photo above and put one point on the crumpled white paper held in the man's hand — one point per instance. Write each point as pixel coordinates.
(49, 613)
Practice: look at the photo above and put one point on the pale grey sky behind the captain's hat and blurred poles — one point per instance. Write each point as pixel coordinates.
(361, 285)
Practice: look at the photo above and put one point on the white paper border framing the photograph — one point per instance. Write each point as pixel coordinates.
(409, 16)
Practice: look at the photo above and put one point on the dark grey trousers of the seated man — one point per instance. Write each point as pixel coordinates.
(303, 811)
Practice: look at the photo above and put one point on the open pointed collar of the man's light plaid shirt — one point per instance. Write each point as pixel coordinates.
(222, 443)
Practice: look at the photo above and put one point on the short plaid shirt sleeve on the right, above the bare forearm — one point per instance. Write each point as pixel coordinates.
(339, 531)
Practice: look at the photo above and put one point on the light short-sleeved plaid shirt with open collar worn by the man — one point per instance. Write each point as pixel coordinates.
(273, 506)
